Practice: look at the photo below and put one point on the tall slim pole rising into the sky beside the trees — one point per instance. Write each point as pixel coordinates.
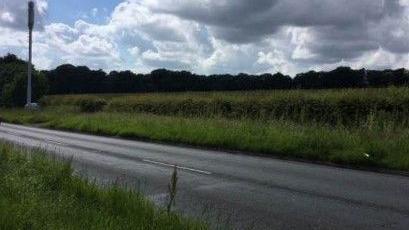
(30, 41)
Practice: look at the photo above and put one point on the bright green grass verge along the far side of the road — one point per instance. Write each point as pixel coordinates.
(381, 144)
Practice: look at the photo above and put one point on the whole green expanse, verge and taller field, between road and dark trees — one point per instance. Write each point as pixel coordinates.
(358, 127)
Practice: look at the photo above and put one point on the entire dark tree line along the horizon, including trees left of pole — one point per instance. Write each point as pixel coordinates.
(69, 79)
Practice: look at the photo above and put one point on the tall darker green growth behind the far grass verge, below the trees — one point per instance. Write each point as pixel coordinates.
(350, 107)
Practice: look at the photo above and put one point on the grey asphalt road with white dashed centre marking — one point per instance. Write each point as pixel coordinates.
(244, 191)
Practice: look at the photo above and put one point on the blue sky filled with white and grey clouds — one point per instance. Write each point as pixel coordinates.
(211, 36)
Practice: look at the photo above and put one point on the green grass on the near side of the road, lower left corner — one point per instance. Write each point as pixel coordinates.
(37, 192)
